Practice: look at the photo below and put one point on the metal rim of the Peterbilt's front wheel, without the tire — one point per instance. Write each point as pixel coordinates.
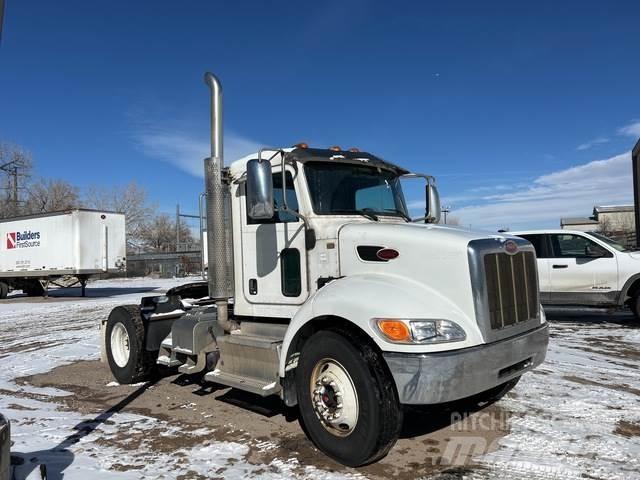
(334, 397)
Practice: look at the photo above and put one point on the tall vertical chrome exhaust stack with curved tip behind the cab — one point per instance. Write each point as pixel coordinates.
(218, 248)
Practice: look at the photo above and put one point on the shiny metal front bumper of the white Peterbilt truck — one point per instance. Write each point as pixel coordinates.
(431, 378)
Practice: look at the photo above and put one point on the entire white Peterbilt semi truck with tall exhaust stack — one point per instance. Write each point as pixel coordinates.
(323, 291)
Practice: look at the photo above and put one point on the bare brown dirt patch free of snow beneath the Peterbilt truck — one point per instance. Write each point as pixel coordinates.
(431, 441)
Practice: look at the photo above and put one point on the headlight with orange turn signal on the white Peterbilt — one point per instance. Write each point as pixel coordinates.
(419, 331)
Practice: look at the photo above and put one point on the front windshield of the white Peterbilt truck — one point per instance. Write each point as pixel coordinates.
(347, 188)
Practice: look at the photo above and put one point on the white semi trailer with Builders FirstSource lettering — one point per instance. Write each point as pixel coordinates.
(38, 249)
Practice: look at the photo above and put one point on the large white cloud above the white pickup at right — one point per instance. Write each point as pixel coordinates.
(570, 192)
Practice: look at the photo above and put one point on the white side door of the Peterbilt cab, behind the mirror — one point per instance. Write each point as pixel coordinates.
(274, 266)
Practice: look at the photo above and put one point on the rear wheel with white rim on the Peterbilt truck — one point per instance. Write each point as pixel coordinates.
(124, 341)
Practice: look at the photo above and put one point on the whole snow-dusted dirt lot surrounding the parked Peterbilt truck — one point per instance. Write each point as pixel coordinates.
(577, 416)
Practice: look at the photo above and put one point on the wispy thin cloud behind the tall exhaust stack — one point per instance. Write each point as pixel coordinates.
(188, 152)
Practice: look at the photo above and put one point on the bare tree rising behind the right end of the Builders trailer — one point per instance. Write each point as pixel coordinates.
(131, 200)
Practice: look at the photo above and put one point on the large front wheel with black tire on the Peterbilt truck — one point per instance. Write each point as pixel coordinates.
(347, 400)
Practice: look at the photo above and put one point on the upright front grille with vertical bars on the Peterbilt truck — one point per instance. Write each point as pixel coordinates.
(512, 288)
